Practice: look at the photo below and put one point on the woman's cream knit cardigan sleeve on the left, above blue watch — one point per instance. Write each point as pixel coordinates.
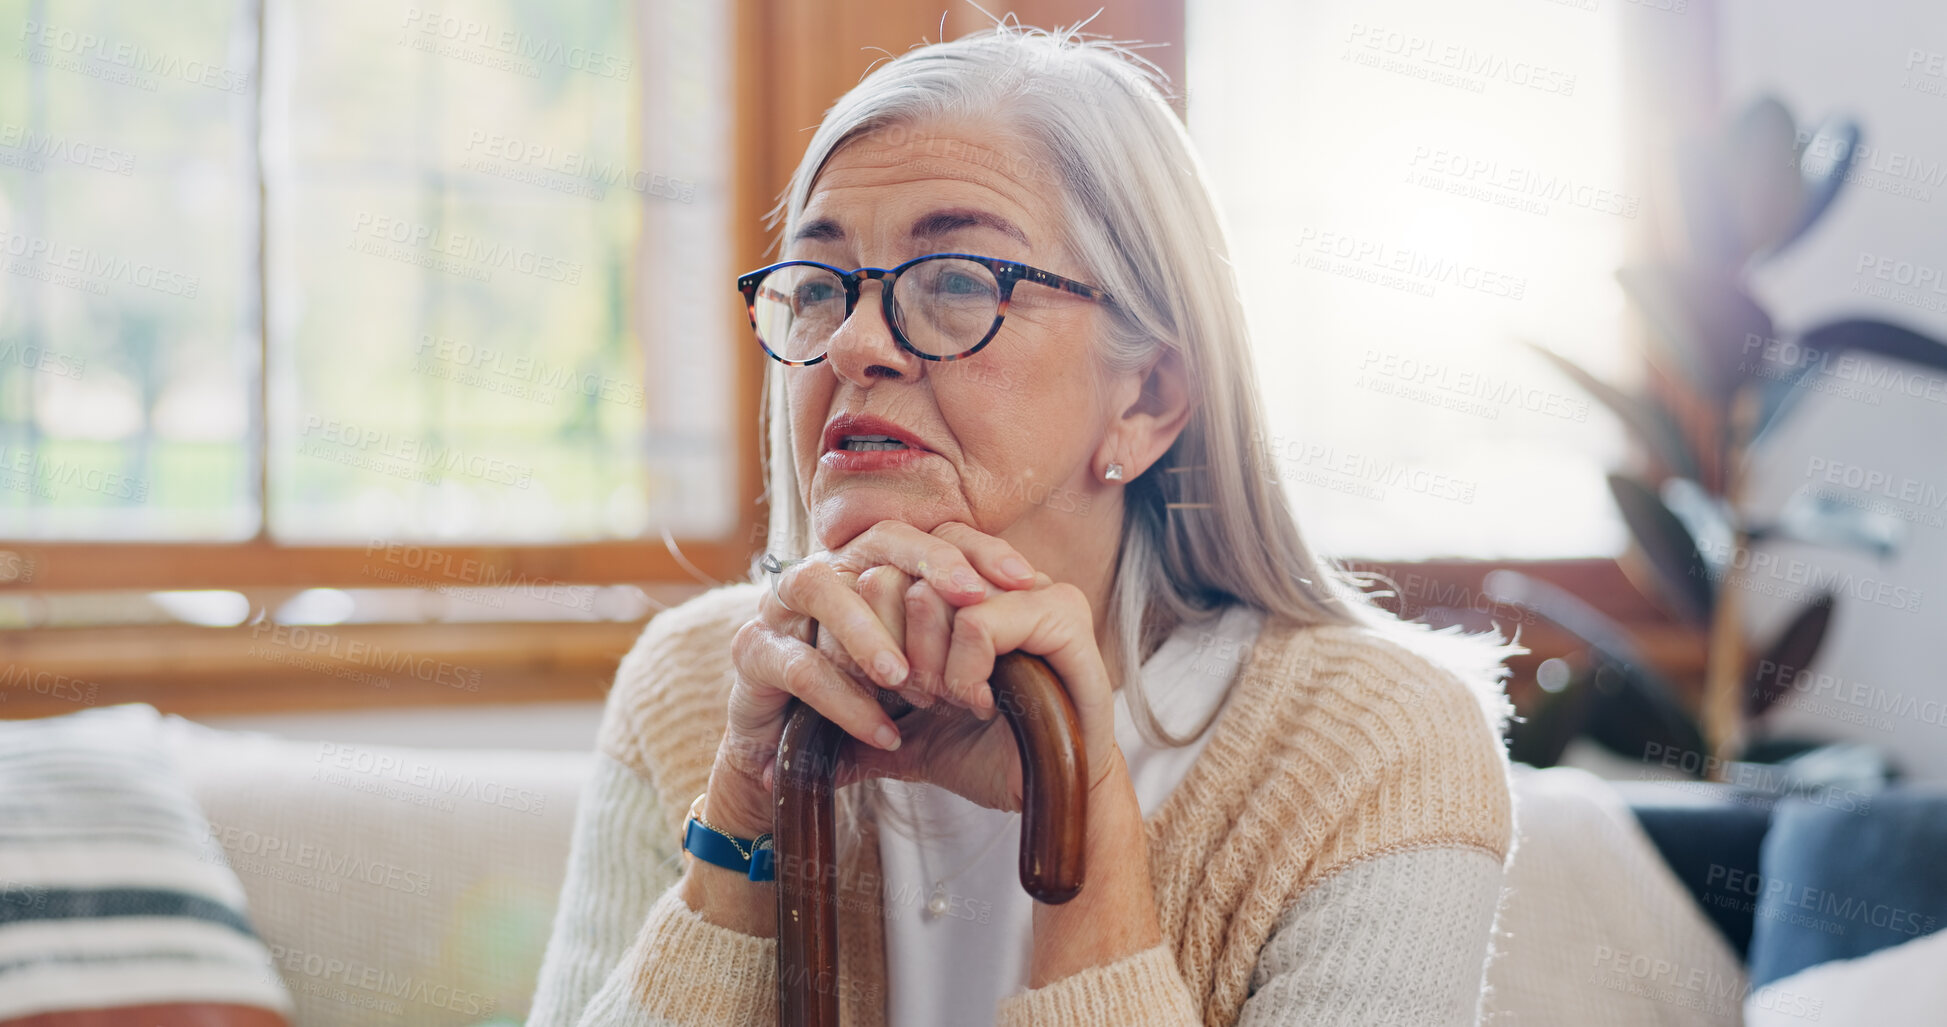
(626, 950)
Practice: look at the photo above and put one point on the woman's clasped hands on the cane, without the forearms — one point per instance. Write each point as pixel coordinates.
(924, 617)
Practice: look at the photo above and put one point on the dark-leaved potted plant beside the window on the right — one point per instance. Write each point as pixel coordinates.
(1720, 381)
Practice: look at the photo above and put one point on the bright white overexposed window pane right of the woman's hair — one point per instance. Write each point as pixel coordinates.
(1413, 186)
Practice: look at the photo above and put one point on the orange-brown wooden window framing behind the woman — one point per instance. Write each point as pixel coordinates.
(790, 63)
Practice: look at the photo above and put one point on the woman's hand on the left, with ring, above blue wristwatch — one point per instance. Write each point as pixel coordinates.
(776, 656)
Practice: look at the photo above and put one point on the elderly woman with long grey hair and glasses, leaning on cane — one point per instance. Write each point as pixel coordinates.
(1013, 408)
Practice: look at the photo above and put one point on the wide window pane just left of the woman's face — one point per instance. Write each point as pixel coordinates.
(499, 284)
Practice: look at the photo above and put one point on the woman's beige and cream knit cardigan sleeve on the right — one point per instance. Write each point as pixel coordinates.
(1399, 921)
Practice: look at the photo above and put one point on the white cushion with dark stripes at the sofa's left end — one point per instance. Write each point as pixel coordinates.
(116, 903)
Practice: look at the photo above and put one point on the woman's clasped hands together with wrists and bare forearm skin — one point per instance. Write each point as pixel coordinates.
(926, 615)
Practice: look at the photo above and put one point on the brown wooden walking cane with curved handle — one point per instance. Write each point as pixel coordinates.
(1054, 794)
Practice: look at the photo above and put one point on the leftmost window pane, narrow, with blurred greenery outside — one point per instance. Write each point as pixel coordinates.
(128, 323)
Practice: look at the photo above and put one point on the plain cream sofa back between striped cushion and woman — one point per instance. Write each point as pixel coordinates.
(394, 886)
